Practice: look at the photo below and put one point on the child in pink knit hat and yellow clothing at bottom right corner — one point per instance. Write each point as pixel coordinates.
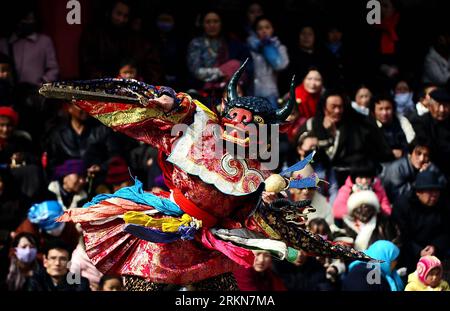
(428, 276)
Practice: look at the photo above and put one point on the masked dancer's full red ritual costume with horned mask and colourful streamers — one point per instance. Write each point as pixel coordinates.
(213, 217)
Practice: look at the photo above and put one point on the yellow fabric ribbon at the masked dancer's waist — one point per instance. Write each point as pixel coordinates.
(166, 224)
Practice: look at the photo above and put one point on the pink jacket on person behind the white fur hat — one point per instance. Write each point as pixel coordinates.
(340, 203)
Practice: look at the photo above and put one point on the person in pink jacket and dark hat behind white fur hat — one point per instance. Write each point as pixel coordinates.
(362, 177)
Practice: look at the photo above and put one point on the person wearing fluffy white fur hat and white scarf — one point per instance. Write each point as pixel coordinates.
(364, 222)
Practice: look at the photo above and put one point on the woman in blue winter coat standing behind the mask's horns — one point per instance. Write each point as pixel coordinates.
(269, 57)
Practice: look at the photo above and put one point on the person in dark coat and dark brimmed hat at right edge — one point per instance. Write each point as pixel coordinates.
(423, 217)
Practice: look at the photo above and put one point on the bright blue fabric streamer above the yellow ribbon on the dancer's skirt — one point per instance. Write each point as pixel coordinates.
(136, 194)
